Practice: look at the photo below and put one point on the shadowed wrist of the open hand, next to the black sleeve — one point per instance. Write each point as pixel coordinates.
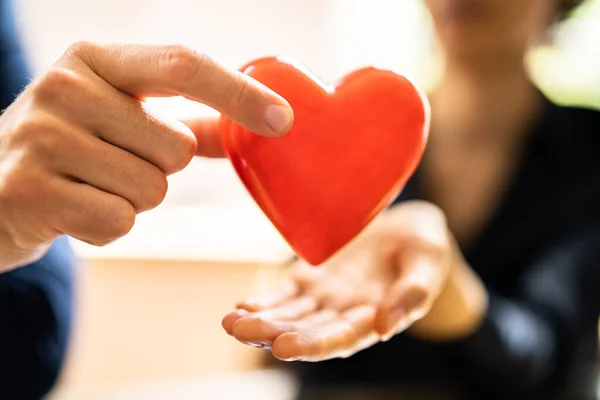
(458, 311)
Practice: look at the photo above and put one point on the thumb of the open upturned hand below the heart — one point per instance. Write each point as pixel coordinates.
(410, 297)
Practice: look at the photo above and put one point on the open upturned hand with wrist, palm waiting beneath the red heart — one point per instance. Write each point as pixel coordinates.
(402, 271)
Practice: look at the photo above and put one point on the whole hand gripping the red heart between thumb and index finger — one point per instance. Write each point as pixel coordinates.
(81, 156)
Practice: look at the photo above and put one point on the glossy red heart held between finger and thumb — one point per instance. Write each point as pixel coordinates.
(350, 152)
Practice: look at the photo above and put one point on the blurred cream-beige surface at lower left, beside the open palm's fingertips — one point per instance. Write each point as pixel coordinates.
(158, 322)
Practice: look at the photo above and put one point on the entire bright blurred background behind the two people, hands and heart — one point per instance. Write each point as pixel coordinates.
(150, 305)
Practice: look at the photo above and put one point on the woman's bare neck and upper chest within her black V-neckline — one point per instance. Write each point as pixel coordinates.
(480, 114)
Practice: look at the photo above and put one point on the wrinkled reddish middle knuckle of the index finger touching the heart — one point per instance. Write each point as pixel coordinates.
(181, 64)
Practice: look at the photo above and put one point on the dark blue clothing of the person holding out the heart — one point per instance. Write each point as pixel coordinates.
(36, 301)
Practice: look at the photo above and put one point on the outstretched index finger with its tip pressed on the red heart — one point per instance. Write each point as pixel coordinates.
(155, 71)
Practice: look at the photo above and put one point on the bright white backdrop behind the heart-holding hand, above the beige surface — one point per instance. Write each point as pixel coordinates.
(330, 36)
